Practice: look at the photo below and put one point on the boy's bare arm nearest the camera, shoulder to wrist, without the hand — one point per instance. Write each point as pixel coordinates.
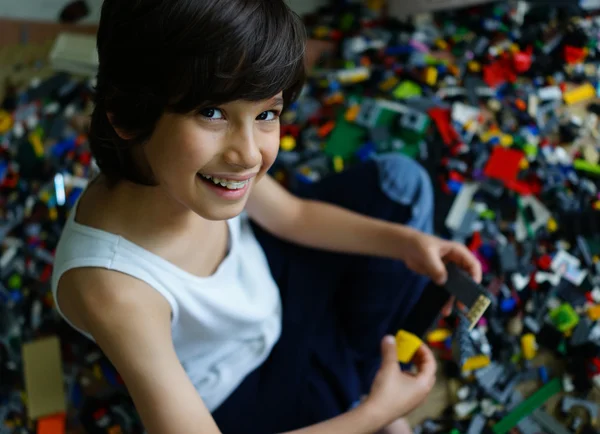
(131, 323)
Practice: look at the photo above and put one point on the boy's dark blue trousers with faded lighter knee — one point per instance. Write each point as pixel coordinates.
(336, 307)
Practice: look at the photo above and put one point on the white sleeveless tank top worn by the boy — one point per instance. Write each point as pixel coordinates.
(223, 326)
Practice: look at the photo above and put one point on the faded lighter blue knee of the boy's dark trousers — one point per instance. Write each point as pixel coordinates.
(405, 181)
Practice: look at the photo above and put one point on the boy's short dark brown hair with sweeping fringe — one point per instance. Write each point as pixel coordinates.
(180, 56)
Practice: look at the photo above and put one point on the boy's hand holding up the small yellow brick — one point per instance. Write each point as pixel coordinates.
(395, 393)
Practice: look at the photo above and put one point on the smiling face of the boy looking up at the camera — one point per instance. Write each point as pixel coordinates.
(209, 162)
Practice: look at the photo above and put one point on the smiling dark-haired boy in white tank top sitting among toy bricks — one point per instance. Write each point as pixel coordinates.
(217, 323)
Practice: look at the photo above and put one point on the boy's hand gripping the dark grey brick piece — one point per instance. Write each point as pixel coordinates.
(426, 255)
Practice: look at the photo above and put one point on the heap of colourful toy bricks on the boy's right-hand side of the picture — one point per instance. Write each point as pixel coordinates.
(500, 105)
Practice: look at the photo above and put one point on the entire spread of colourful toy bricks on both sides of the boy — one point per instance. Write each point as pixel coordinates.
(497, 103)
